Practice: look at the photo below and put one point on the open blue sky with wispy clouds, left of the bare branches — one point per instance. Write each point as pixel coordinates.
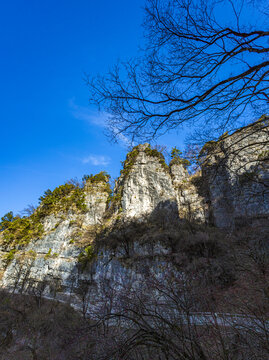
(49, 133)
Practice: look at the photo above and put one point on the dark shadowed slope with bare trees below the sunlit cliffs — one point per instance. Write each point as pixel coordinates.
(192, 292)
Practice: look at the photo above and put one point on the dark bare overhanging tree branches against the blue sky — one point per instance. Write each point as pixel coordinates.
(205, 62)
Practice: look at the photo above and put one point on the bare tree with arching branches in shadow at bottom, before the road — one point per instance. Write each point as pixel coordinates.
(159, 319)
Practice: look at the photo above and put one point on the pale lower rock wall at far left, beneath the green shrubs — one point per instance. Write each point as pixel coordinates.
(49, 261)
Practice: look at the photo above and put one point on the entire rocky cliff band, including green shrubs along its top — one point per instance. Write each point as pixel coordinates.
(89, 235)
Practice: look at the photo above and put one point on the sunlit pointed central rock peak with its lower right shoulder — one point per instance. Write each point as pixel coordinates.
(150, 183)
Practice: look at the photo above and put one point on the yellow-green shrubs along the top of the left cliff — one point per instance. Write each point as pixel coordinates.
(16, 231)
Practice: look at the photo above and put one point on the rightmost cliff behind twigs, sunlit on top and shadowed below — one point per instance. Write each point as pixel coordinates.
(236, 174)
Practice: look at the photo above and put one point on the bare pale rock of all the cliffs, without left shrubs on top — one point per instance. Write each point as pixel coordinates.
(232, 185)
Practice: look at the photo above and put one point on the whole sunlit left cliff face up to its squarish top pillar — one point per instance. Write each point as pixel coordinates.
(49, 265)
